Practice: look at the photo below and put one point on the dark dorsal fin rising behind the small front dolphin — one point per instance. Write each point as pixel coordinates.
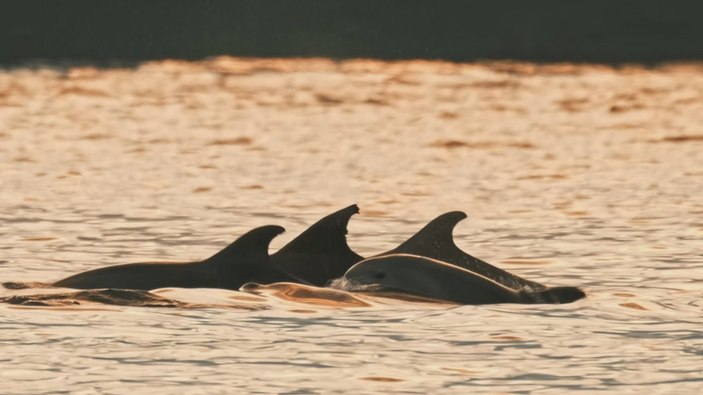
(434, 239)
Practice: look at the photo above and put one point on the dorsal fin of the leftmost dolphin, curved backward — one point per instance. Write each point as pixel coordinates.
(249, 247)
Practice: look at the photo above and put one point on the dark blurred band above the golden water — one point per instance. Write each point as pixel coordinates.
(538, 30)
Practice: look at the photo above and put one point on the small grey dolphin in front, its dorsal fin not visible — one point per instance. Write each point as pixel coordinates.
(430, 278)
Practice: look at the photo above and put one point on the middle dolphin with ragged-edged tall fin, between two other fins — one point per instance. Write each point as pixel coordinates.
(321, 253)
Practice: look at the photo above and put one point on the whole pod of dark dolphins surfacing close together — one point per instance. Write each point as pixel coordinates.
(426, 261)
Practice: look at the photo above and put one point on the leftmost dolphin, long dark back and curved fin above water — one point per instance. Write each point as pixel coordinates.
(245, 260)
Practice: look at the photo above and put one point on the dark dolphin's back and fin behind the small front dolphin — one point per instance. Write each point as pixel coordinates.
(435, 241)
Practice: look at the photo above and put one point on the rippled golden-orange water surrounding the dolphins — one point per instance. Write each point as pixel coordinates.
(571, 175)
